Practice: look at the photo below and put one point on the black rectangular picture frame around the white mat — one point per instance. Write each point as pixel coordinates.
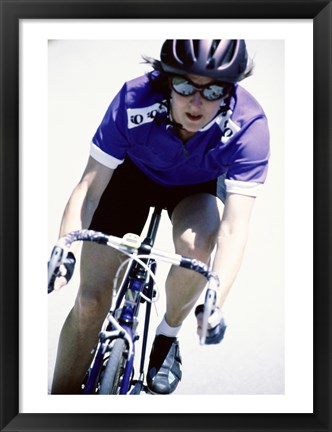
(12, 12)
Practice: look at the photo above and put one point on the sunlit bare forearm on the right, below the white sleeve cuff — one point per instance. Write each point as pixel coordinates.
(232, 239)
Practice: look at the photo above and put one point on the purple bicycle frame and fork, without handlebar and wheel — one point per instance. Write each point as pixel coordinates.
(126, 310)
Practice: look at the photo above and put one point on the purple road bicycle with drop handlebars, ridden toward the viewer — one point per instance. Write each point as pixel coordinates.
(112, 368)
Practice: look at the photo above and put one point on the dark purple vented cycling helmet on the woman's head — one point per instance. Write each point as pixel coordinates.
(222, 60)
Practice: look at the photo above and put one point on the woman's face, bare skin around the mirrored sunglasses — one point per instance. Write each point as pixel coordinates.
(193, 112)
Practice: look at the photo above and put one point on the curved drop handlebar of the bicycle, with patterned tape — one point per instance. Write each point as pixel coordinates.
(131, 244)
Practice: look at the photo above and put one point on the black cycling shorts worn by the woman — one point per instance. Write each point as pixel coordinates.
(126, 201)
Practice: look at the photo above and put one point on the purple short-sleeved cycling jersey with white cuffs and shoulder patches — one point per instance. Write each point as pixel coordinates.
(235, 143)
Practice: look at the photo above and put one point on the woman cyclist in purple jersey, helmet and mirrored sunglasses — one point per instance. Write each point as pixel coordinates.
(185, 136)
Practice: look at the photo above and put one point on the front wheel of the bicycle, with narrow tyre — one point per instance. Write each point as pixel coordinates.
(111, 380)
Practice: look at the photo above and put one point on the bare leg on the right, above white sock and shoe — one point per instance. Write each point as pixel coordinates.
(196, 222)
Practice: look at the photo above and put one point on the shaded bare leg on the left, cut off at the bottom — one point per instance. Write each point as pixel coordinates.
(80, 331)
